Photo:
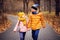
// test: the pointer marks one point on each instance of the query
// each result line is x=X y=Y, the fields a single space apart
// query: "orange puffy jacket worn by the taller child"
x=36 y=21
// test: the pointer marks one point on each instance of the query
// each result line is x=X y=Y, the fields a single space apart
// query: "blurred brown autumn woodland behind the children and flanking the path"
x=50 y=8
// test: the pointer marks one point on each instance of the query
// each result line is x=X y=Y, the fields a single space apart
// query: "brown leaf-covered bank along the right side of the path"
x=53 y=20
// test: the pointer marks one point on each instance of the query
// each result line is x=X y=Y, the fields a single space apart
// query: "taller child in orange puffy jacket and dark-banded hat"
x=36 y=21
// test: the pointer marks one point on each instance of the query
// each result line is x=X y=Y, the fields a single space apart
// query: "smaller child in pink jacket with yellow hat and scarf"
x=21 y=25
